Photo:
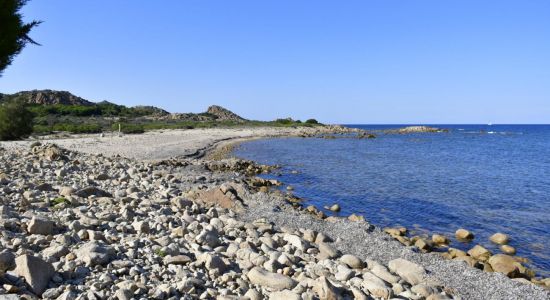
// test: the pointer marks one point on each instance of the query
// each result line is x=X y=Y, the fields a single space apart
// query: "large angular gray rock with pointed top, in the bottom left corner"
x=37 y=273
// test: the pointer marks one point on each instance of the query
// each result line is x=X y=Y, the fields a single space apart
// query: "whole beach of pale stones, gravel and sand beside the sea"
x=163 y=215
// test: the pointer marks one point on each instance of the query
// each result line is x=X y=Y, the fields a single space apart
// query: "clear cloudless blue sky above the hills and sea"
x=338 y=61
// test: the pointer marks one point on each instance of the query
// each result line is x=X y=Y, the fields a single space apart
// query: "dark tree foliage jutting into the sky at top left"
x=13 y=31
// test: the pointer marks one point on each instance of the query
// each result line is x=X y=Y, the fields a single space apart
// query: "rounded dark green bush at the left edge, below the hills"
x=15 y=121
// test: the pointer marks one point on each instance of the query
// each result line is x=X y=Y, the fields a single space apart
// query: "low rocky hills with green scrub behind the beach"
x=61 y=111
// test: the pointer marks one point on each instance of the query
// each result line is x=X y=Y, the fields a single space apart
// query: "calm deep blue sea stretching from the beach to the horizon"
x=497 y=181
